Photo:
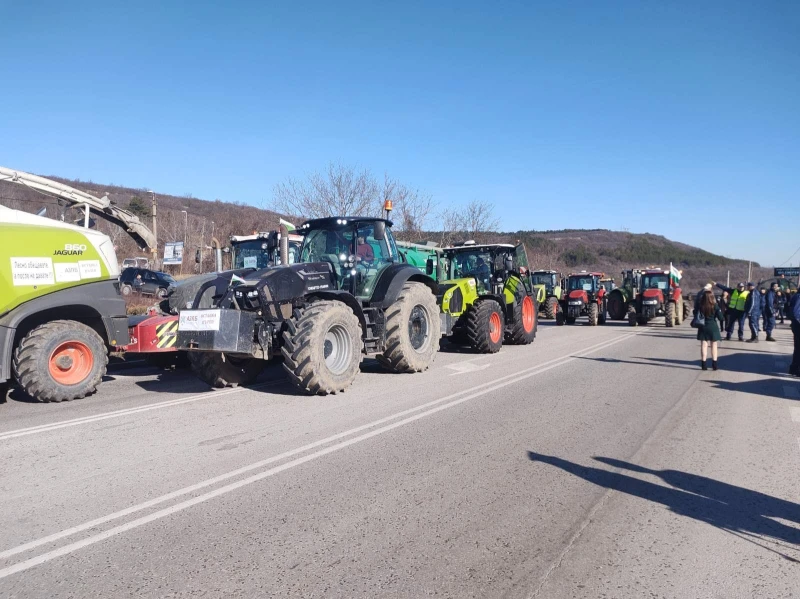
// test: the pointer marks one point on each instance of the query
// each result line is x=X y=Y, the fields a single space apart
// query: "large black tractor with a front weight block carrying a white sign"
x=348 y=296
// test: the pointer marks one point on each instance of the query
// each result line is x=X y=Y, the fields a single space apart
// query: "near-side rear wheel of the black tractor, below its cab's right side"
x=413 y=330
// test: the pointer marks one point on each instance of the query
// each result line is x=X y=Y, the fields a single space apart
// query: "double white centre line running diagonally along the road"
x=429 y=408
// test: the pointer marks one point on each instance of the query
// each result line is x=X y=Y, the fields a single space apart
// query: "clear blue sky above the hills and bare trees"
x=678 y=118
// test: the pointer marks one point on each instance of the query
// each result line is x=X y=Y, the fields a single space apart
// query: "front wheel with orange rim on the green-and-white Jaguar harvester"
x=60 y=360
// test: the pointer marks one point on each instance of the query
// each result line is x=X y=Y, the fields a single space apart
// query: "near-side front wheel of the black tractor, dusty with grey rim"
x=322 y=347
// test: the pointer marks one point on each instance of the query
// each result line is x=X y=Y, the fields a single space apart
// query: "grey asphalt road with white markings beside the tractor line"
x=598 y=462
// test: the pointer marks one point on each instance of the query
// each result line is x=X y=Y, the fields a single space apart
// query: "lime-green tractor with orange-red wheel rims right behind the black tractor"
x=488 y=297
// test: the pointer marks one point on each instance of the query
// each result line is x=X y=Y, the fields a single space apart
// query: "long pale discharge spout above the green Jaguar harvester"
x=102 y=206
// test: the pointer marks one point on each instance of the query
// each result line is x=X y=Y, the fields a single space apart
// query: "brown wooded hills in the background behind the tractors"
x=565 y=250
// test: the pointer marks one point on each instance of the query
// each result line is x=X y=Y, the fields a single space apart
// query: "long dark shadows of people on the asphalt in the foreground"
x=736 y=510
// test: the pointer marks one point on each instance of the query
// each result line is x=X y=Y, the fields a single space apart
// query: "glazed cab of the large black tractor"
x=358 y=250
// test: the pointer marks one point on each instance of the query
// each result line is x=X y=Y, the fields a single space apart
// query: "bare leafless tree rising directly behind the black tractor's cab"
x=340 y=190
